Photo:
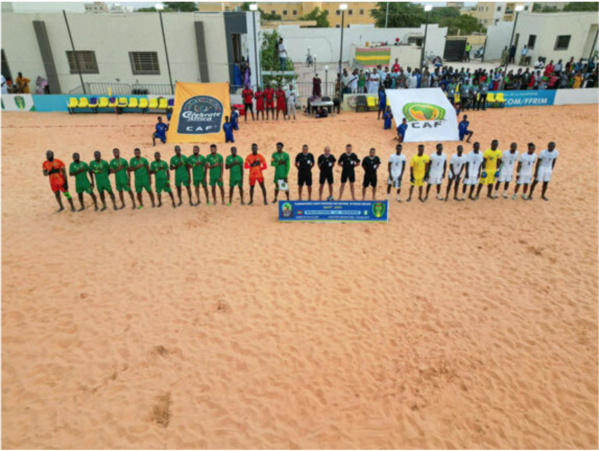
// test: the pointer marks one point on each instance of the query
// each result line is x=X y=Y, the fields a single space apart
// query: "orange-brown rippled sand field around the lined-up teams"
x=454 y=325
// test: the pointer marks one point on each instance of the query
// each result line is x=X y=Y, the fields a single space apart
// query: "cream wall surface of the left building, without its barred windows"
x=112 y=37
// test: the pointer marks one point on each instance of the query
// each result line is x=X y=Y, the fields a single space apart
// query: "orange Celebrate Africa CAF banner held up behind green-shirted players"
x=199 y=113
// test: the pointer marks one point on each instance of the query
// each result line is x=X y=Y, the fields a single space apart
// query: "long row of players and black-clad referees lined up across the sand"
x=491 y=168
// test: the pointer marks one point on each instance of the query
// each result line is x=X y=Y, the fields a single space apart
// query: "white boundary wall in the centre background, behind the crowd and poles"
x=325 y=42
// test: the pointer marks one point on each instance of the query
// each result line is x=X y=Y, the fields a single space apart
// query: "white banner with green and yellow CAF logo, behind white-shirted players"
x=429 y=114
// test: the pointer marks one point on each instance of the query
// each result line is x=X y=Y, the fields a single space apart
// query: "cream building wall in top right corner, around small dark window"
x=582 y=27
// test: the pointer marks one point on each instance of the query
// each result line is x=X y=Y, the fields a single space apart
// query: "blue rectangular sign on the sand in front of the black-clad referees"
x=332 y=211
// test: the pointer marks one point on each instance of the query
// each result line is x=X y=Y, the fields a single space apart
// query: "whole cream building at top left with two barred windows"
x=127 y=48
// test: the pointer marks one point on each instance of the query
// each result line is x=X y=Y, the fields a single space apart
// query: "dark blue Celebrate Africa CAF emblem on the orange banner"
x=200 y=115
